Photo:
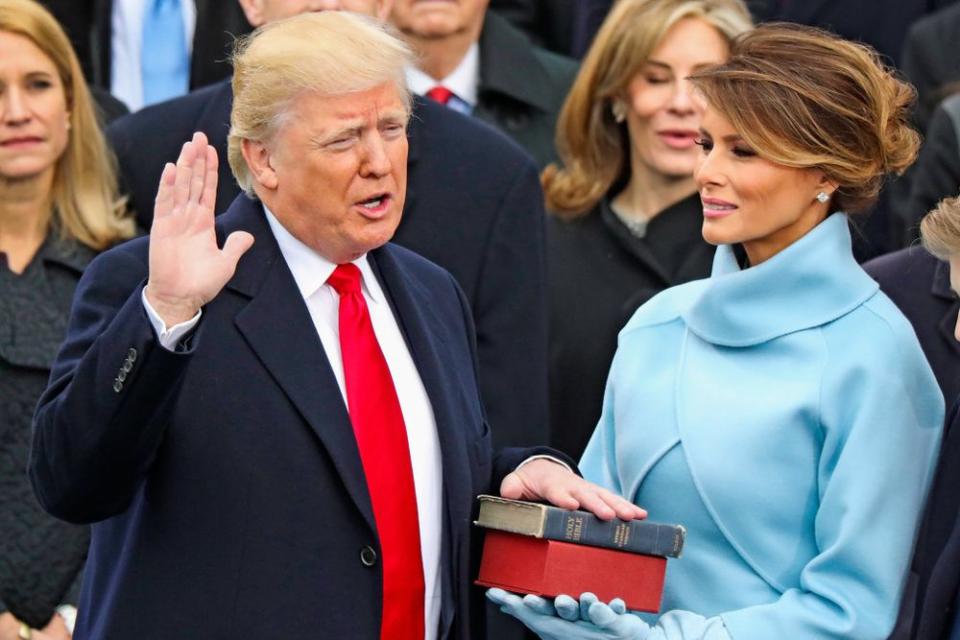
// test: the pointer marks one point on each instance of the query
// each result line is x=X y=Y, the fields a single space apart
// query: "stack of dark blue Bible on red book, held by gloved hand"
x=540 y=549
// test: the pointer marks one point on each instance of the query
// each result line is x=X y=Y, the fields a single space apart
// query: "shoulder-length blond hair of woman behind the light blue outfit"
x=593 y=147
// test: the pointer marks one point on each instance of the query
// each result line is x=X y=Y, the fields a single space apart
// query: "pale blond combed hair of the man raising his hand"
x=329 y=53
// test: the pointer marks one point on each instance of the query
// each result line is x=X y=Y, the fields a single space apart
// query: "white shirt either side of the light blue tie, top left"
x=126 y=34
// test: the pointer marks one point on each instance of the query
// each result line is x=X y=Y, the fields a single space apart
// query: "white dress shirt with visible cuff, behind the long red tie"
x=310 y=272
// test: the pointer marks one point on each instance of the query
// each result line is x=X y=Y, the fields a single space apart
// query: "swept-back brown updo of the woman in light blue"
x=803 y=97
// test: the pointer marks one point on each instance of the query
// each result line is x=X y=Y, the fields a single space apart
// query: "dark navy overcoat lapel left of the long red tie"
x=278 y=328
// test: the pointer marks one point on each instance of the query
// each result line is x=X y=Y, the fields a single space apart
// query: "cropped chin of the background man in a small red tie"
x=435 y=19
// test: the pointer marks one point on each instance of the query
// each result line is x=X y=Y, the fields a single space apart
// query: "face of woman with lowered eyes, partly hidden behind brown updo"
x=662 y=116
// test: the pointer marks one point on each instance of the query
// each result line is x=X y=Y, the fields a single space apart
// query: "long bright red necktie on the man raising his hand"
x=382 y=439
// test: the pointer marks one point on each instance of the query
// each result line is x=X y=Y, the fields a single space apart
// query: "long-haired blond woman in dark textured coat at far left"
x=58 y=208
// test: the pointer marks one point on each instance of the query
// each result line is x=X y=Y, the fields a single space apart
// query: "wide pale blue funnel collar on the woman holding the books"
x=812 y=282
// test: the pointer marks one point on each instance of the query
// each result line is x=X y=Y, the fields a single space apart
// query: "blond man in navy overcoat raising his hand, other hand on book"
x=282 y=437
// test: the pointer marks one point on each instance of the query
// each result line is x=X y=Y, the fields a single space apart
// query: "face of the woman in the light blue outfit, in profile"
x=750 y=200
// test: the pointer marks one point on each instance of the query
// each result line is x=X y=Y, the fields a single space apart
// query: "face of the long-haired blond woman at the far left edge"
x=34 y=125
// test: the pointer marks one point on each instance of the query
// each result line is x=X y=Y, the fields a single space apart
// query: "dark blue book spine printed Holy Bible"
x=637 y=536
